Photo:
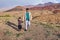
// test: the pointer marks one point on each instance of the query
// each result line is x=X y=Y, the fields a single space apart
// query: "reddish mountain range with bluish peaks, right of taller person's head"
x=46 y=6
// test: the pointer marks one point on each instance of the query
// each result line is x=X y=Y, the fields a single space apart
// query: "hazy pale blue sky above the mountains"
x=12 y=3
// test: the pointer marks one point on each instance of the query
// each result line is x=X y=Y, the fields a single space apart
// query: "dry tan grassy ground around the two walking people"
x=44 y=26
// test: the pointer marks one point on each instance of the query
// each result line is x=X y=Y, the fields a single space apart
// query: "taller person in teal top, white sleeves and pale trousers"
x=27 y=18
